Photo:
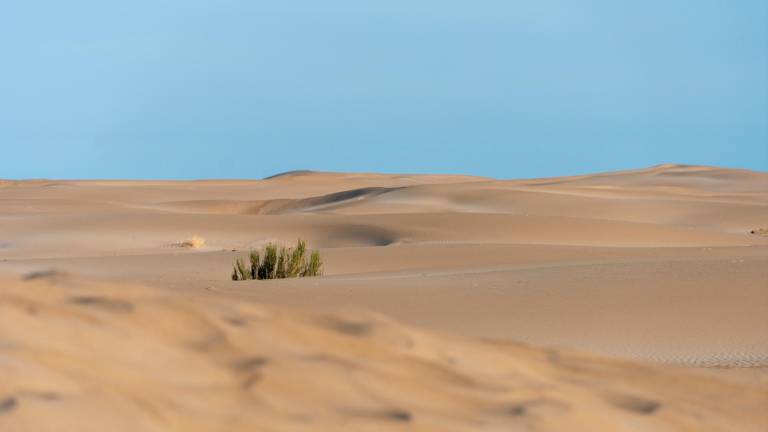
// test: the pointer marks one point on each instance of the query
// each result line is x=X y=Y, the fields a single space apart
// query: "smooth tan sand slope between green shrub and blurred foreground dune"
x=684 y=311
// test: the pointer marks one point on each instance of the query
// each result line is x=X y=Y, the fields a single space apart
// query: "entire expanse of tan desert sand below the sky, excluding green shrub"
x=633 y=300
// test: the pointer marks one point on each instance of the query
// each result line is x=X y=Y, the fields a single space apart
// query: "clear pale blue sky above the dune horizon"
x=504 y=88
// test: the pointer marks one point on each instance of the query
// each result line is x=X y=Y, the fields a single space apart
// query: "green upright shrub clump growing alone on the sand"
x=279 y=262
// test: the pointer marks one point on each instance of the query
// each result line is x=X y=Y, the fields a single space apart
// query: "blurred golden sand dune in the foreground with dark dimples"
x=88 y=356
